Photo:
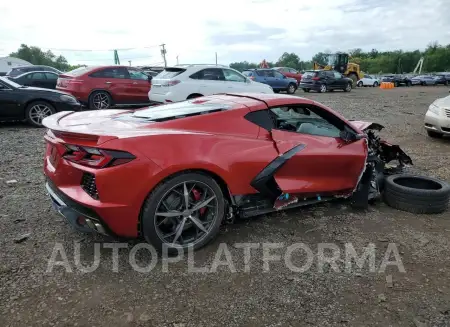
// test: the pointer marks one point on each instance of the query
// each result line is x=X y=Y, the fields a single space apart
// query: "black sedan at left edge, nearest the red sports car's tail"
x=32 y=104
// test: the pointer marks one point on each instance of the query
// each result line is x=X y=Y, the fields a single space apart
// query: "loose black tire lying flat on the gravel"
x=416 y=194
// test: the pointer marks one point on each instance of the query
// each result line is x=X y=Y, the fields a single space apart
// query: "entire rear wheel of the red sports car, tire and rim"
x=158 y=211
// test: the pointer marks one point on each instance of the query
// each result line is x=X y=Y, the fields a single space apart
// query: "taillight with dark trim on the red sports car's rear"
x=96 y=158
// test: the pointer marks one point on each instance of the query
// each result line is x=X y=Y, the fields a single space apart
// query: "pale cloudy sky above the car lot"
x=86 y=31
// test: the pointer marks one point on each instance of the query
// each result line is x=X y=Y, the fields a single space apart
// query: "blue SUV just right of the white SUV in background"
x=275 y=79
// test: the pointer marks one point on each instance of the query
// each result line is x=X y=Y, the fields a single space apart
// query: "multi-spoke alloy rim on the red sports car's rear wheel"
x=186 y=214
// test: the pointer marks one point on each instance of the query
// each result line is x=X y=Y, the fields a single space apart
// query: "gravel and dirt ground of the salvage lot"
x=280 y=297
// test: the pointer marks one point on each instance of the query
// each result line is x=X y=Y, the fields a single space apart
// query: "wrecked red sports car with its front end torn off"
x=174 y=173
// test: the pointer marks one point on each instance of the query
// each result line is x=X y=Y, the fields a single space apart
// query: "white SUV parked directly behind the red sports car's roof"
x=183 y=82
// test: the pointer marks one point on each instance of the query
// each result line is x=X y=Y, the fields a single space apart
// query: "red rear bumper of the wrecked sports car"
x=117 y=199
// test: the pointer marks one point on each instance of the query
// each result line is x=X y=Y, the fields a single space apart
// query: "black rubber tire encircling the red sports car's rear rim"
x=150 y=206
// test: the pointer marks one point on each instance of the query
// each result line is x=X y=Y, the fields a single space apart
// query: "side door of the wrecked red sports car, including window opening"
x=322 y=163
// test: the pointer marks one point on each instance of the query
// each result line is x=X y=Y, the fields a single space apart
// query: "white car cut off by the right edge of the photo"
x=437 y=118
